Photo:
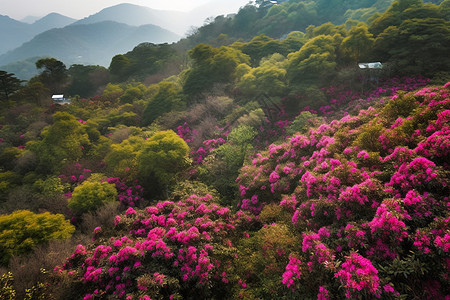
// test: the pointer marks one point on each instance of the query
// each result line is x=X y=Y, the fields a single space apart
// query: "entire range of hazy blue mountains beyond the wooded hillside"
x=98 y=37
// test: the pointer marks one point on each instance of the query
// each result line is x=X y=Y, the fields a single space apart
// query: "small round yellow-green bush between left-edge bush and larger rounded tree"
x=91 y=195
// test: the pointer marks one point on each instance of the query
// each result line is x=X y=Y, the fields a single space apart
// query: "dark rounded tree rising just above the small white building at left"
x=54 y=74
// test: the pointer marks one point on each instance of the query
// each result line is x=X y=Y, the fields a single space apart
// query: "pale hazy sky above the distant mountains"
x=77 y=9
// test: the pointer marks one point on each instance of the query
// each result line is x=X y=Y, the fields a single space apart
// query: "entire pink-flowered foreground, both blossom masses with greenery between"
x=367 y=200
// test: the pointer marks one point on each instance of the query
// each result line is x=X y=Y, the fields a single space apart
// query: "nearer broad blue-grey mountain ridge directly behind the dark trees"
x=89 y=43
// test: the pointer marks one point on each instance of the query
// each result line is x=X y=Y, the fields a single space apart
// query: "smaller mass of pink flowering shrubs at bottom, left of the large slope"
x=163 y=250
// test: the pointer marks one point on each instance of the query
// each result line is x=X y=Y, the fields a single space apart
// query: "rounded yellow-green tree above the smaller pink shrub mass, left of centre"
x=163 y=157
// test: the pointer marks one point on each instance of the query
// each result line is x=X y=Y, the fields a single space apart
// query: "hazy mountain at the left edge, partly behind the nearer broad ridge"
x=14 y=33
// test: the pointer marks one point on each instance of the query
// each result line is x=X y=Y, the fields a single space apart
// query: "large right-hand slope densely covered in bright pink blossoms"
x=369 y=196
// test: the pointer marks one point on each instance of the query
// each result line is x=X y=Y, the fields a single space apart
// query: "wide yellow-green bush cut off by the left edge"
x=22 y=230
